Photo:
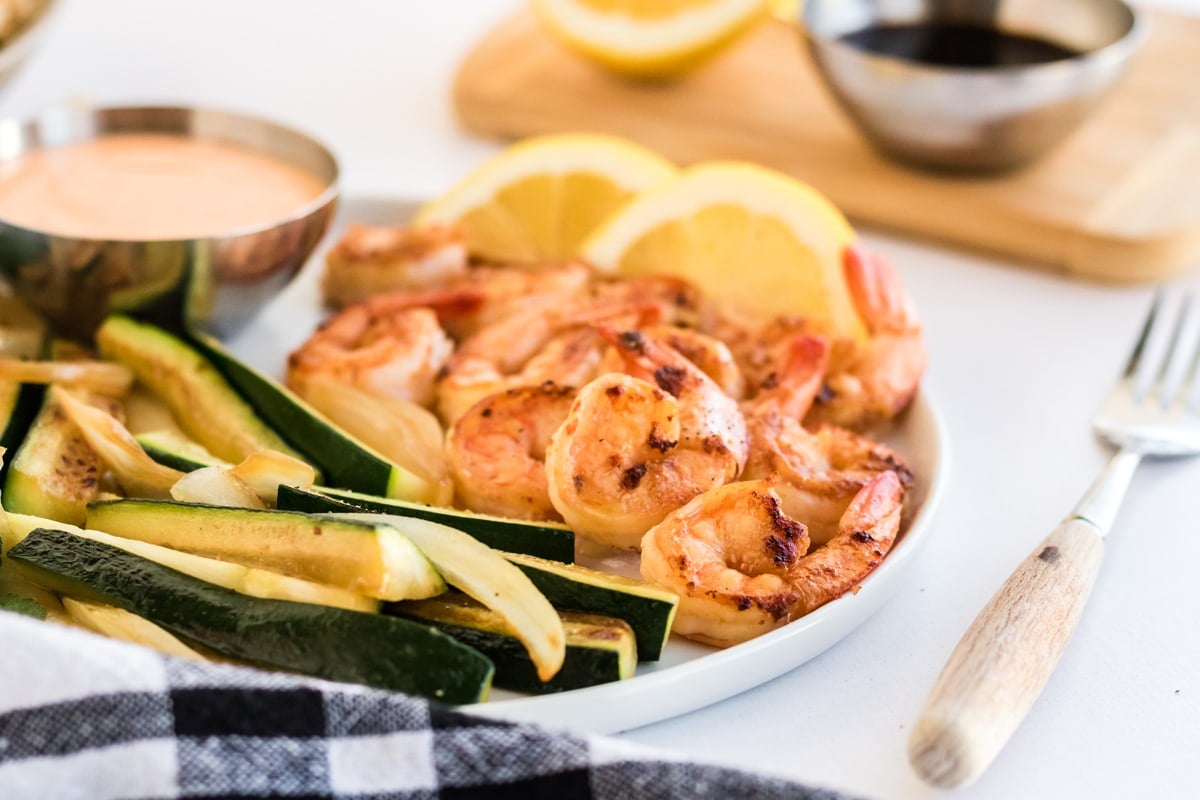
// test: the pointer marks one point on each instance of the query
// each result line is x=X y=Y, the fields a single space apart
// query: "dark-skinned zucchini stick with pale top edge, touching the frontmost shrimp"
x=649 y=610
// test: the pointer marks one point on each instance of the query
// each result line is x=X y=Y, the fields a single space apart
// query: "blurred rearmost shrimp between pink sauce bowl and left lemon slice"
x=371 y=261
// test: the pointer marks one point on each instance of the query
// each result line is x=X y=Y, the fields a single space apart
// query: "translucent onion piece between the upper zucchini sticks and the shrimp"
x=405 y=434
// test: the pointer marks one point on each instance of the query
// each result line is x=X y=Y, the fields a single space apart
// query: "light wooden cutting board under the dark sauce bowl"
x=1120 y=201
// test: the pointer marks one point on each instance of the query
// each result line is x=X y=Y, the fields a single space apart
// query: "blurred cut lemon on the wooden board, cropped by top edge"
x=649 y=38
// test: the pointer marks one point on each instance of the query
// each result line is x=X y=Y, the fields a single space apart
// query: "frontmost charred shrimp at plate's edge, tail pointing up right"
x=741 y=566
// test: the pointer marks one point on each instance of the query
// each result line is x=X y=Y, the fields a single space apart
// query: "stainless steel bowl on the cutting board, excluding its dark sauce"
x=963 y=118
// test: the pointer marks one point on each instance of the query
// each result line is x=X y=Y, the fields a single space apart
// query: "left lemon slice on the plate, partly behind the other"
x=539 y=200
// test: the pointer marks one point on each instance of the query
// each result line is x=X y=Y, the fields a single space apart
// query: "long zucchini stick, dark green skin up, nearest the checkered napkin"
x=332 y=643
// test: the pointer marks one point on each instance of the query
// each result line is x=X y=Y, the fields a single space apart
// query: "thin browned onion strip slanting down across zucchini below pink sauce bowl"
x=137 y=473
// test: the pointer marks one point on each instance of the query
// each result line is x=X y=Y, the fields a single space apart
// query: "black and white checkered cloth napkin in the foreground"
x=82 y=717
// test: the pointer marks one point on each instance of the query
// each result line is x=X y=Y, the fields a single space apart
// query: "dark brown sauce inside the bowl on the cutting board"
x=957 y=46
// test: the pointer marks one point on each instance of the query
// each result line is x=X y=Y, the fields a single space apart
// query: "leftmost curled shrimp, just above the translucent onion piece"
x=394 y=354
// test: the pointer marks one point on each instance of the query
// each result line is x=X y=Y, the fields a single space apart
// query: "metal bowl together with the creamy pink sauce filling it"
x=184 y=216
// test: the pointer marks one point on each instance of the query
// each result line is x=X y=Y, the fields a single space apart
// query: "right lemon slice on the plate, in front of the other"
x=757 y=239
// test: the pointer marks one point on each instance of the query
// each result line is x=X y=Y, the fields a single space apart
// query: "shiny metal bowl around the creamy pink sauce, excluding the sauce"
x=215 y=282
